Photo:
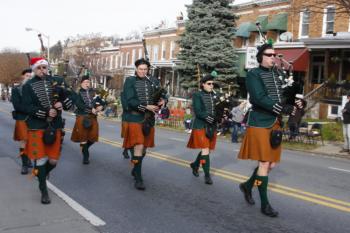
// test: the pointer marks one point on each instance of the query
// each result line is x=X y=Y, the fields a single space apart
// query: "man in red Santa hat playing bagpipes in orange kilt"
x=45 y=98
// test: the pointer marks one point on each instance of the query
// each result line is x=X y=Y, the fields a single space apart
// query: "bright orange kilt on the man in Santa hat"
x=37 y=149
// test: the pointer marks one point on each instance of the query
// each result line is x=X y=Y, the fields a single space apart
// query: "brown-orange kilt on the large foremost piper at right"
x=256 y=145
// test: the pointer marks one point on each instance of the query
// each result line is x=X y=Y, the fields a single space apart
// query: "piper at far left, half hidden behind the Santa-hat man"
x=20 y=132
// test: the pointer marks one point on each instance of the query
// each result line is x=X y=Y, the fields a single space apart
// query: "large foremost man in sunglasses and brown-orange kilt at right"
x=263 y=136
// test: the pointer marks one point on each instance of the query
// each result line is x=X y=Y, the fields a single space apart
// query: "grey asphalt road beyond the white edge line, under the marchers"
x=312 y=193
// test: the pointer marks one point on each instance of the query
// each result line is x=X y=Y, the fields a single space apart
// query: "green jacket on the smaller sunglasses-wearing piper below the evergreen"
x=200 y=111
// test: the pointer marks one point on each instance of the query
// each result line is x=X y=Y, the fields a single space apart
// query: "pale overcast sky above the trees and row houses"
x=63 y=18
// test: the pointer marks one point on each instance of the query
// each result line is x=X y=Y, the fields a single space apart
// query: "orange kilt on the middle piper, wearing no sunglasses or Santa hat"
x=134 y=136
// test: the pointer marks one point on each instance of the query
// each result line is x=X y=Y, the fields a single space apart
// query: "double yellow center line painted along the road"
x=287 y=191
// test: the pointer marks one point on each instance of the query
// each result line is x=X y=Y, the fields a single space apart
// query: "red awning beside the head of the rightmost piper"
x=299 y=57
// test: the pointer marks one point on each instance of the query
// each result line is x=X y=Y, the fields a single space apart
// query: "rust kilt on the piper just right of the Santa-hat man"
x=80 y=134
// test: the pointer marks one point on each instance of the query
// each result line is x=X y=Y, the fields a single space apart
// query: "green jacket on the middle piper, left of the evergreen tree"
x=135 y=108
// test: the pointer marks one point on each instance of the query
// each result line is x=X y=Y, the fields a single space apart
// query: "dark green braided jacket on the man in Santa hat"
x=39 y=95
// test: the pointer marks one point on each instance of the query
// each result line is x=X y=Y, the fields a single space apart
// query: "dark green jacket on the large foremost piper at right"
x=261 y=114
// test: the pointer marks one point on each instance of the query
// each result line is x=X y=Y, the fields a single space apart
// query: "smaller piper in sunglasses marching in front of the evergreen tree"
x=203 y=135
